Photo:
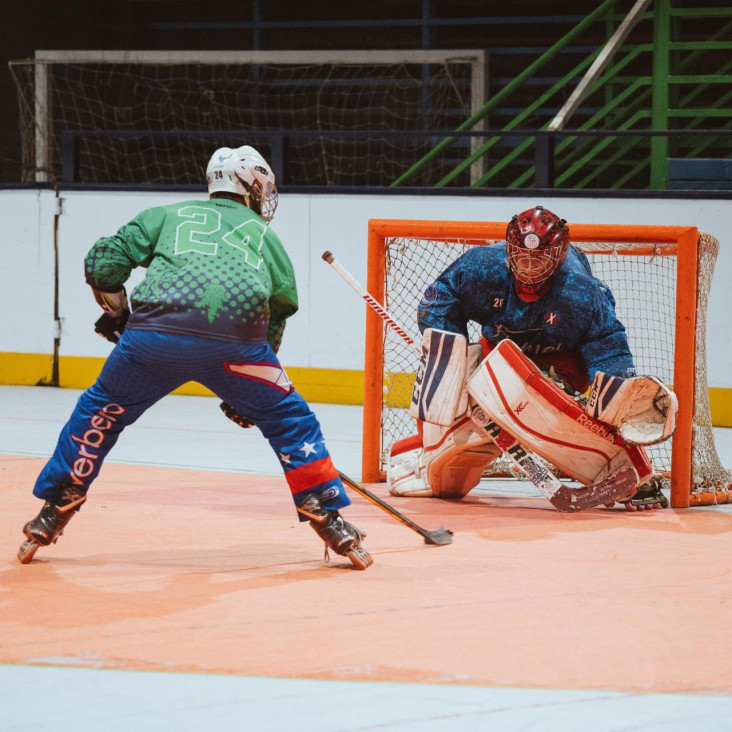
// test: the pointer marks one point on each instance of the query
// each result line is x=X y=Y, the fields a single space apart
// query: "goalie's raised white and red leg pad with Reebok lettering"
x=513 y=391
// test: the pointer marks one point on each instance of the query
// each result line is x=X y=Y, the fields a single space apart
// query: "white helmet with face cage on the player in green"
x=243 y=172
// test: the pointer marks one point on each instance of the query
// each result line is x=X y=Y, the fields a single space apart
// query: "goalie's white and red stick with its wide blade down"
x=568 y=500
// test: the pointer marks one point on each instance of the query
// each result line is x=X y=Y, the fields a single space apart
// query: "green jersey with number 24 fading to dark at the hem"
x=214 y=269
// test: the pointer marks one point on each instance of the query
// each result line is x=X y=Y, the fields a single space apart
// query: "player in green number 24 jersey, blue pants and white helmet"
x=212 y=308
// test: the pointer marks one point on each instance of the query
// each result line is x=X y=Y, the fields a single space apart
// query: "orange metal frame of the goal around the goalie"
x=685 y=241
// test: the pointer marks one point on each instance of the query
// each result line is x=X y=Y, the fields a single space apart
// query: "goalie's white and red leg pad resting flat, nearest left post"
x=446 y=462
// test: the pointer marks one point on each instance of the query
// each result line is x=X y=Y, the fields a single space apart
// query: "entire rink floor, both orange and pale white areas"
x=198 y=595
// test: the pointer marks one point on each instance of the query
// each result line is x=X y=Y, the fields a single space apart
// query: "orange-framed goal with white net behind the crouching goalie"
x=660 y=276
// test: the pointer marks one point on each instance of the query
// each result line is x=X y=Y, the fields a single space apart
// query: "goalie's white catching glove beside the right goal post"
x=641 y=408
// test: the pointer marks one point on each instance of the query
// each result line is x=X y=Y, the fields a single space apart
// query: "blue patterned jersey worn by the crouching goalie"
x=575 y=317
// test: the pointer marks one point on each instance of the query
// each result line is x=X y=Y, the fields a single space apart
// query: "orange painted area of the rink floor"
x=211 y=572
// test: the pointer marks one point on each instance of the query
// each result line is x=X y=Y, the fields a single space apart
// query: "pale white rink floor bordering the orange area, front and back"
x=71 y=699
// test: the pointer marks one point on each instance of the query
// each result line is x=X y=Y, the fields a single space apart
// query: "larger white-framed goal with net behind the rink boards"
x=319 y=117
